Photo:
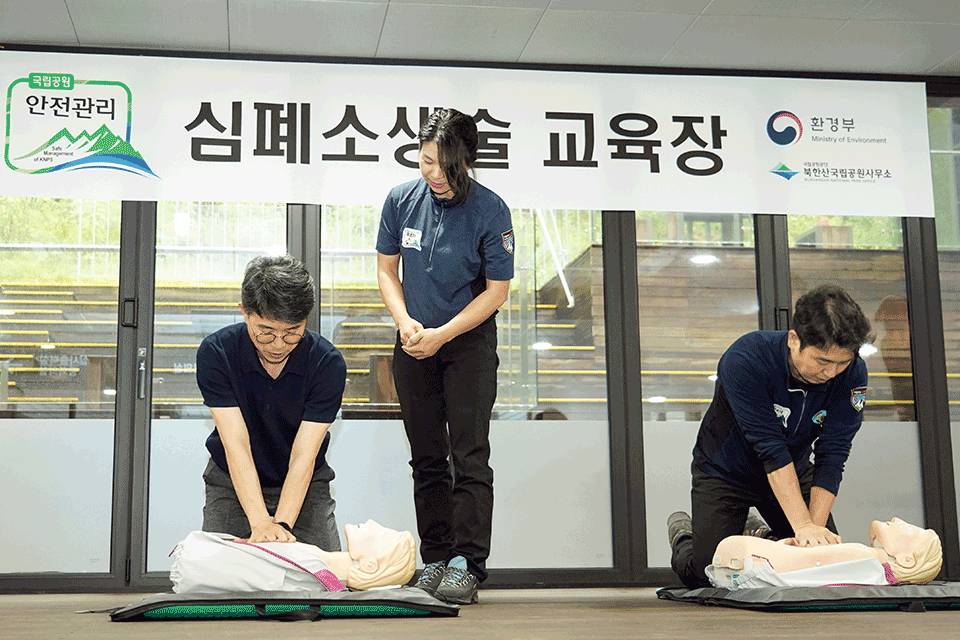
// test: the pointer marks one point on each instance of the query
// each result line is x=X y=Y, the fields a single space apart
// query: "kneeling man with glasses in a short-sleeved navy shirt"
x=273 y=388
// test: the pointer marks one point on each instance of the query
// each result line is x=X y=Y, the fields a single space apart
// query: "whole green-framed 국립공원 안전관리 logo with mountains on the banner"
x=56 y=122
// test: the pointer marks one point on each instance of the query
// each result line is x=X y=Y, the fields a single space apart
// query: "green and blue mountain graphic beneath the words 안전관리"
x=101 y=149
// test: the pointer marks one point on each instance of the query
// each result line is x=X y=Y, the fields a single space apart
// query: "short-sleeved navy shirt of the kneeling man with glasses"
x=310 y=387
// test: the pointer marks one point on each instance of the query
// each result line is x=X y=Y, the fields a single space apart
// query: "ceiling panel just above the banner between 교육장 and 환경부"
x=749 y=42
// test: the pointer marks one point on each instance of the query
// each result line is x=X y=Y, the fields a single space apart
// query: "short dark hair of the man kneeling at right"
x=827 y=316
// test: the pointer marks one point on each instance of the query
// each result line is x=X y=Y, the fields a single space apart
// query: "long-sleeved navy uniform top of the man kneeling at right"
x=761 y=418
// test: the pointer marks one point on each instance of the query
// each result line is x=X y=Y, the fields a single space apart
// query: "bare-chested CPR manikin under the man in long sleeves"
x=906 y=554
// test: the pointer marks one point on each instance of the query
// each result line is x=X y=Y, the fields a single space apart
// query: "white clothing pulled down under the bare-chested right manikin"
x=867 y=571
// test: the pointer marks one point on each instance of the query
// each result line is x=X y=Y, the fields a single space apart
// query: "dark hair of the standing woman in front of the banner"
x=456 y=136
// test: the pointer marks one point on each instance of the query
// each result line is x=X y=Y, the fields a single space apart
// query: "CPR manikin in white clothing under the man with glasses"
x=218 y=563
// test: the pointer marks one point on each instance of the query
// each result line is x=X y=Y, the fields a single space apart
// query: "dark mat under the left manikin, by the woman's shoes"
x=400 y=602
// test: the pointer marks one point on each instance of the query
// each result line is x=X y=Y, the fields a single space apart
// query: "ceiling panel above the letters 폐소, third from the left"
x=306 y=28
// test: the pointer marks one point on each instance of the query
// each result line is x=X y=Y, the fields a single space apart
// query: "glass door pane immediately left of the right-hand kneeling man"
x=697 y=292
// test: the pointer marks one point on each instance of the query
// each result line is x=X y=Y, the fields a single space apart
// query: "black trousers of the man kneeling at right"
x=719 y=509
